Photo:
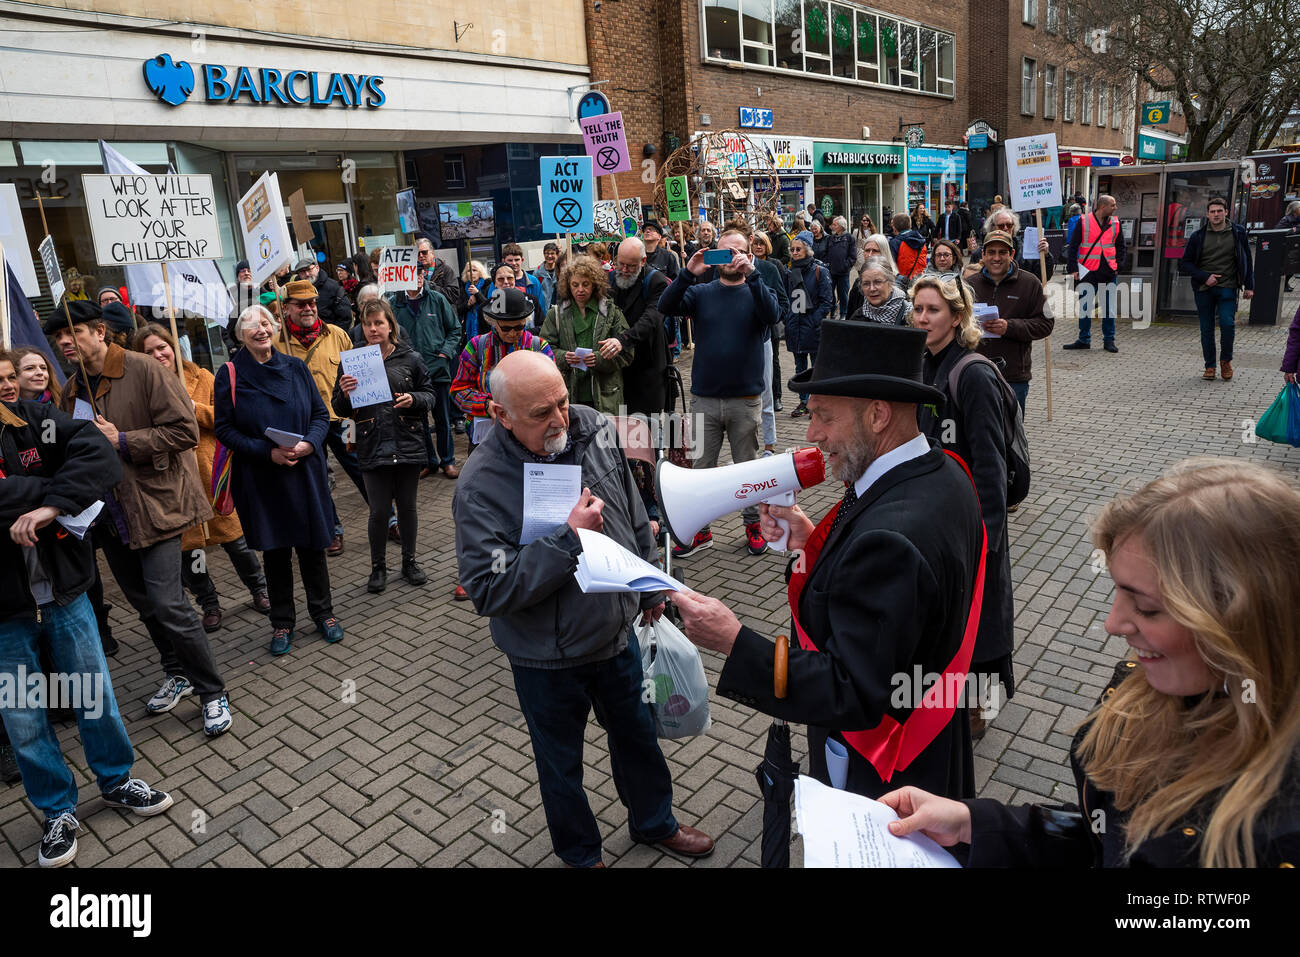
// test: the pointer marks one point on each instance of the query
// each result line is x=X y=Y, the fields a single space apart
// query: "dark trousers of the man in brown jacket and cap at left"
x=150 y=578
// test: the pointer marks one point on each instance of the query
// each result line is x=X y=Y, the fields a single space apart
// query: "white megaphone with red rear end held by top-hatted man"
x=694 y=497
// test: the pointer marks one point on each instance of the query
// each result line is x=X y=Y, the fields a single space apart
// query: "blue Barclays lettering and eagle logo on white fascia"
x=175 y=81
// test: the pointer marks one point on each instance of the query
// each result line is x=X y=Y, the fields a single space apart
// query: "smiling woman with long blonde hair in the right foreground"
x=1193 y=756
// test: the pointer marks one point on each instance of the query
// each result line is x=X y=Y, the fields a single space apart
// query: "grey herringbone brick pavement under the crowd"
x=404 y=746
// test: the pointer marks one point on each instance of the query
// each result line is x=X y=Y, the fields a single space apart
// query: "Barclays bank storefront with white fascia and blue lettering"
x=341 y=125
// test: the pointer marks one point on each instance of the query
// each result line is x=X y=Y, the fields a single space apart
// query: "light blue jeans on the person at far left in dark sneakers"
x=72 y=638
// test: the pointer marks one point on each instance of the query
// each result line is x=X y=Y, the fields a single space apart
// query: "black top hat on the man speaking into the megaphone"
x=869 y=361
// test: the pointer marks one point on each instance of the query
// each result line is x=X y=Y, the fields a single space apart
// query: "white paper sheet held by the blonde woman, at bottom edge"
x=846 y=830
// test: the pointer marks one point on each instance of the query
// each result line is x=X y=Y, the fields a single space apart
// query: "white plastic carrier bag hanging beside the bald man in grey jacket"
x=681 y=690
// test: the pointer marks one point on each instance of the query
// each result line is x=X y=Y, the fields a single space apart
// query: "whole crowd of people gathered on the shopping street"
x=912 y=356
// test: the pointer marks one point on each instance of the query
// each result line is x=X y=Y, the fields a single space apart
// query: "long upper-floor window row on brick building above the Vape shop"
x=831 y=38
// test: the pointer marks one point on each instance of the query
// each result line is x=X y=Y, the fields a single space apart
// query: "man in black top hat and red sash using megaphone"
x=881 y=591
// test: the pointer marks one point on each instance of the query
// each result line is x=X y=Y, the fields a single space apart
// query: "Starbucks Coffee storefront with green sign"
x=855 y=179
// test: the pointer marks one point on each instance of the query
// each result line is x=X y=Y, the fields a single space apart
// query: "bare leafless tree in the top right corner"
x=1233 y=66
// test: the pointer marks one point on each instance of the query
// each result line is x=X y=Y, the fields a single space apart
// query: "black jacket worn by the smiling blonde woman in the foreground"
x=1093 y=833
